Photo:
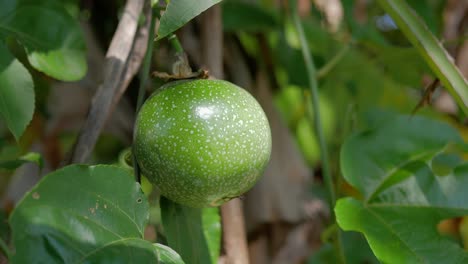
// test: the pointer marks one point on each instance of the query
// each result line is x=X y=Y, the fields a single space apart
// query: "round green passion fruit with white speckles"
x=202 y=142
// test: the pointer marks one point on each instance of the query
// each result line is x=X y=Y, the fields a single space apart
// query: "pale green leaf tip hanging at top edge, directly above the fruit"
x=179 y=12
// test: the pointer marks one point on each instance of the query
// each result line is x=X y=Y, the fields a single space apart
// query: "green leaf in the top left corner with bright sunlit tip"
x=52 y=38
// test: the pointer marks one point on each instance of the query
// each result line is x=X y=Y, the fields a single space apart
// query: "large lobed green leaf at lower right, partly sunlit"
x=393 y=166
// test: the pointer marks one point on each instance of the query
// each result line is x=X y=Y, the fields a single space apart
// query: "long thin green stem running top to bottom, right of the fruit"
x=311 y=72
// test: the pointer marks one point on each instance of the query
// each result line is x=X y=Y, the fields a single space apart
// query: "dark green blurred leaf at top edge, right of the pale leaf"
x=247 y=17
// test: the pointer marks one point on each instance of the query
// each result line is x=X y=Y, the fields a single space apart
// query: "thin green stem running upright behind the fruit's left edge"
x=144 y=73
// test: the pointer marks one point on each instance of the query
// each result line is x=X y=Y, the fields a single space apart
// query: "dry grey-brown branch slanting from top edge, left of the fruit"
x=117 y=58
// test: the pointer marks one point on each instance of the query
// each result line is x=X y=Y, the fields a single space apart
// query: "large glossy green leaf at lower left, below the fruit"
x=80 y=214
